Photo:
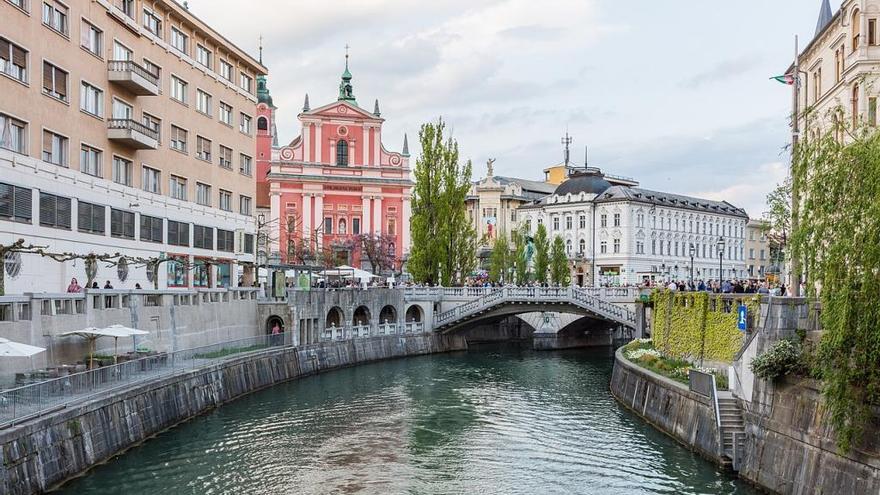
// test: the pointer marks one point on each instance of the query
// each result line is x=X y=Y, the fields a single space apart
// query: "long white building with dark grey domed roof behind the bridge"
x=619 y=234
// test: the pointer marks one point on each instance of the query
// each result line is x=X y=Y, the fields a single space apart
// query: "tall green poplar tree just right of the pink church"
x=442 y=244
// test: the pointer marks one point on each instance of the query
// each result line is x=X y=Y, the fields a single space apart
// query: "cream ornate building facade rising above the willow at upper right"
x=839 y=67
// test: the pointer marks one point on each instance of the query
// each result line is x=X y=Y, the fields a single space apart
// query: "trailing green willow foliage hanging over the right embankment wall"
x=837 y=239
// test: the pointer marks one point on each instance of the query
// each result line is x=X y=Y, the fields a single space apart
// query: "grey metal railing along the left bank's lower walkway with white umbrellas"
x=30 y=401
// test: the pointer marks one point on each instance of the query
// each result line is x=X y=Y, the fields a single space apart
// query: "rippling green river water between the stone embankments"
x=488 y=421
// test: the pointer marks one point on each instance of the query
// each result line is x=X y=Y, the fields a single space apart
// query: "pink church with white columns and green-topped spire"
x=332 y=184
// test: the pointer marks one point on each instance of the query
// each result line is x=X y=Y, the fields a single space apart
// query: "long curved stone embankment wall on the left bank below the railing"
x=45 y=452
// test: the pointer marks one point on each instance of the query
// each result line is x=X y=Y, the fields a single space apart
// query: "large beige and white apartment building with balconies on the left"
x=126 y=126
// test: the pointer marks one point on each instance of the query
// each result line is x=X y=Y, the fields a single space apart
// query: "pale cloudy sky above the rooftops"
x=674 y=93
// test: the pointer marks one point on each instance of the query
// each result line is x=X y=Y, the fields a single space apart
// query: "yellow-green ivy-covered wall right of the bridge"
x=686 y=325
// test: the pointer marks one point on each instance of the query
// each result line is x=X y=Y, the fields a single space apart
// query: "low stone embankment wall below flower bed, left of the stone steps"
x=668 y=405
